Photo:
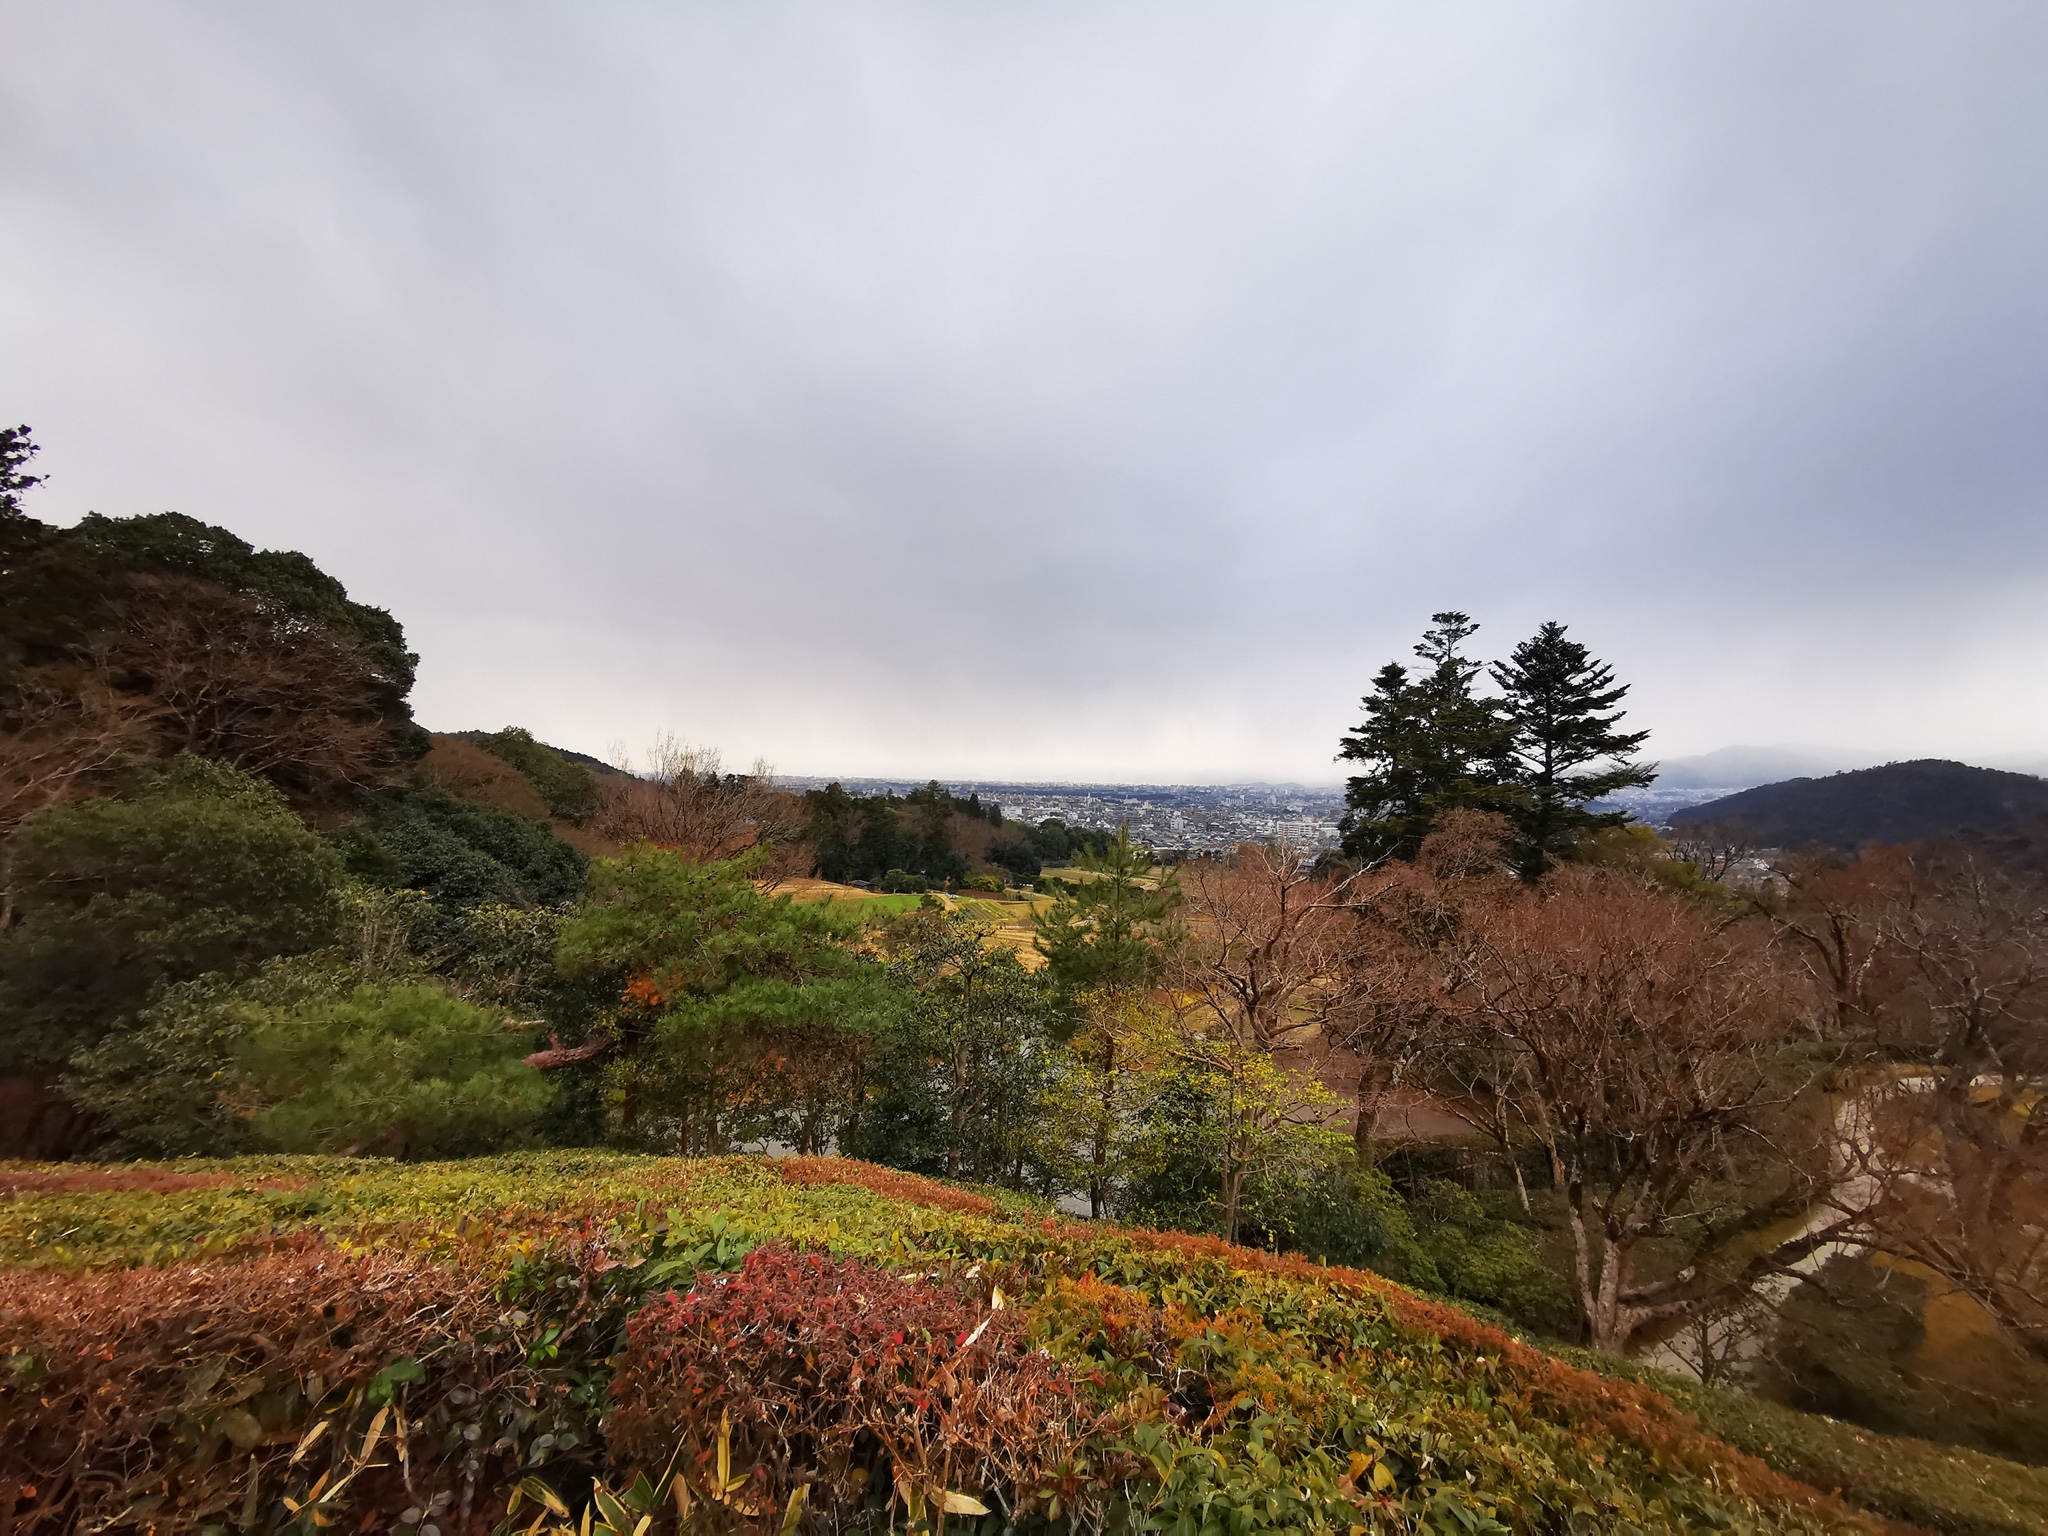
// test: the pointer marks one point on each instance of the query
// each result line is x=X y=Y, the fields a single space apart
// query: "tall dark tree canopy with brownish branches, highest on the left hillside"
x=173 y=636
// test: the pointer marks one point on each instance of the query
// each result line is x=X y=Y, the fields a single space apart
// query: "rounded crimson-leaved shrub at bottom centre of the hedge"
x=843 y=1377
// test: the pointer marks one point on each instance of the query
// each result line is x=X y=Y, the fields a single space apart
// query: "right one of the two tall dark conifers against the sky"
x=1566 y=749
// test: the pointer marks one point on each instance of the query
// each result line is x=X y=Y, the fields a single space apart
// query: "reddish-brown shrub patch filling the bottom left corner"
x=177 y=1398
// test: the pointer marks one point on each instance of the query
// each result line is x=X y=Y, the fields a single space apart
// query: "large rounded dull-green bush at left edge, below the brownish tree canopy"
x=202 y=869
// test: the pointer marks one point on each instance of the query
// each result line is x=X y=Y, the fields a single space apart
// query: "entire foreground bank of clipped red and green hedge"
x=742 y=1345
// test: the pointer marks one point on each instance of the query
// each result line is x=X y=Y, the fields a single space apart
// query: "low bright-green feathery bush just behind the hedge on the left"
x=400 y=1070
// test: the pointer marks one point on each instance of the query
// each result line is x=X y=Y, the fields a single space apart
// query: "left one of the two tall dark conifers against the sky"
x=1428 y=744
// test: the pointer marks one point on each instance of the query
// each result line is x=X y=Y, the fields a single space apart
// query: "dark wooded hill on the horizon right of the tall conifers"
x=1902 y=802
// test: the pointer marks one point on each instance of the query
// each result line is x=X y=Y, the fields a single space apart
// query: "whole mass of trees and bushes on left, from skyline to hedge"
x=222 y=873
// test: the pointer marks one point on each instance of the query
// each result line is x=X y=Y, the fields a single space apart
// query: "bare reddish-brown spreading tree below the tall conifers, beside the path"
x=1646 y=1052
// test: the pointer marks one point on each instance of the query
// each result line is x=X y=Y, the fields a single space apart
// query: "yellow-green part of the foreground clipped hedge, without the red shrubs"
x=1320 y=1375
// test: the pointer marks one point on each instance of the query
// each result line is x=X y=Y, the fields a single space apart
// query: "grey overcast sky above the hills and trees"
x=1070 y=390
